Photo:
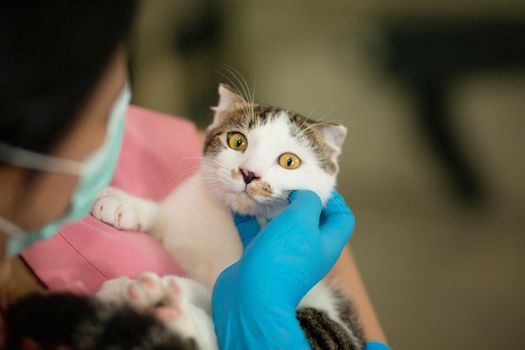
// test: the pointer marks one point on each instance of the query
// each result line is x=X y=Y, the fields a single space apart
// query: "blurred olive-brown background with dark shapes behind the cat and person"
x=433 y=95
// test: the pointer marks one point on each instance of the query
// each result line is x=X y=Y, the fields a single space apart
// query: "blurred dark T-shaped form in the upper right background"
x=430 y=56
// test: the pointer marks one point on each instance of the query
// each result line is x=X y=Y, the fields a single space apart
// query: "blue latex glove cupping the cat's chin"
x=254 y=300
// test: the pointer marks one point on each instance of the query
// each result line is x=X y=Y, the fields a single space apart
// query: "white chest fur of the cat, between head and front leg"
x=198 y=231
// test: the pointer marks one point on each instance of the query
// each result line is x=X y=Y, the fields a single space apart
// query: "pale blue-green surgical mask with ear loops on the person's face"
x=94 y=174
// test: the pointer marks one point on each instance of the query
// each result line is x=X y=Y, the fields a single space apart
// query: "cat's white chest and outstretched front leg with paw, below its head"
x=190 y=223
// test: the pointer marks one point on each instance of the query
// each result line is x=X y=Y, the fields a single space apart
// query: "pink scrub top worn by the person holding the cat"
x=158 y=152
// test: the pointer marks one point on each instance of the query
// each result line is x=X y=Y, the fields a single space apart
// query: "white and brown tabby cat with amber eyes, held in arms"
x=254 y=156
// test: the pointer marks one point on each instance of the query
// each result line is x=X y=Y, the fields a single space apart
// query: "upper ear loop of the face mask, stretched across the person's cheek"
x=36 y=161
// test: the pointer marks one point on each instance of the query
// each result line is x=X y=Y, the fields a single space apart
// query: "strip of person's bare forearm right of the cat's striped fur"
x=348 y=278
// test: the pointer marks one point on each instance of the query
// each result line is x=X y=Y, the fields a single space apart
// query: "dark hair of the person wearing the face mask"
x=52 y=53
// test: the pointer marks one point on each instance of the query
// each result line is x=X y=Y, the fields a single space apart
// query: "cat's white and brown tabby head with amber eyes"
x=255 y=155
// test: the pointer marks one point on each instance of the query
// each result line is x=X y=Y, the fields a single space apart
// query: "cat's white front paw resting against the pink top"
x=115 y=207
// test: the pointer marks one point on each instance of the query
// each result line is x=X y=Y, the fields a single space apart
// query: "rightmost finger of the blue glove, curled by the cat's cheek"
x=339 y=222
